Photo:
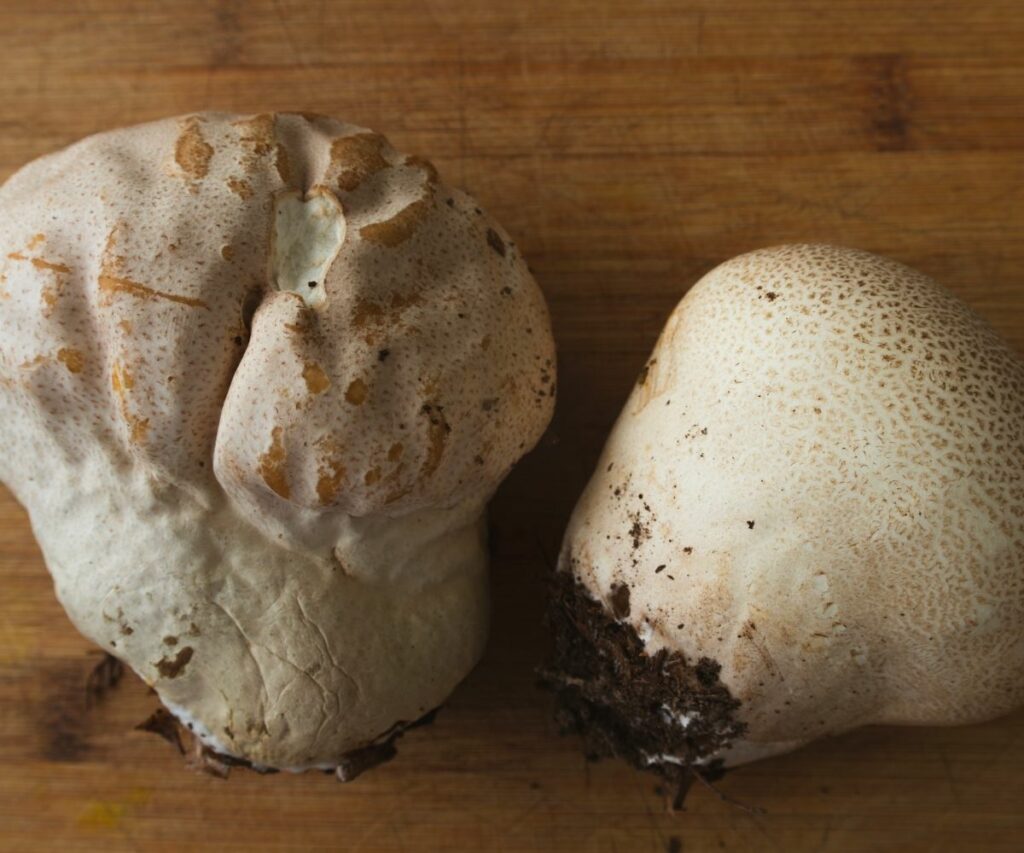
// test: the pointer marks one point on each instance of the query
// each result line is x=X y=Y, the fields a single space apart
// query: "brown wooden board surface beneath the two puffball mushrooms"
x=629 y=148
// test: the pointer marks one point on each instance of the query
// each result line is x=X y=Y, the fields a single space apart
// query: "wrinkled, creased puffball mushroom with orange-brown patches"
x=260 y=377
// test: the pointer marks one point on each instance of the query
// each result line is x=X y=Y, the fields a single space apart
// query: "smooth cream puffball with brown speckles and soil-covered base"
x=809 y=518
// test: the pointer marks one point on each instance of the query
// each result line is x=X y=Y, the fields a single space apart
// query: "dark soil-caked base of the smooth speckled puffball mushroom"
x=658 y=712
